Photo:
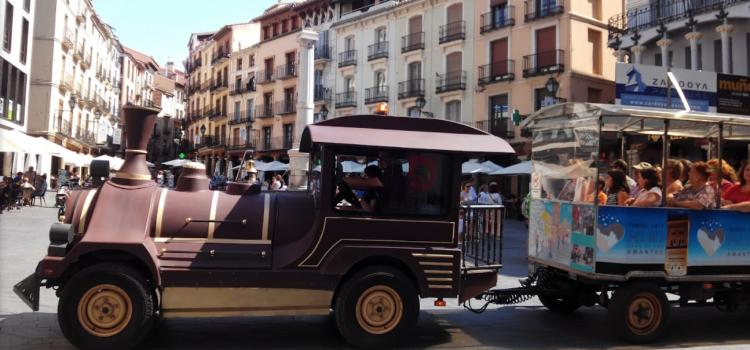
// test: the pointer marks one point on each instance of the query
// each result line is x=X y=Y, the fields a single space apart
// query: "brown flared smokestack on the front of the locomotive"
x=139 y=123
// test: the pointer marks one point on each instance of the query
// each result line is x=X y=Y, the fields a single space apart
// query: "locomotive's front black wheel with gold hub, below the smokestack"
x=106 y=306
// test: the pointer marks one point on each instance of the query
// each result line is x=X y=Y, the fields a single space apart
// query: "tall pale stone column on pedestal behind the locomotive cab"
x=298 y=162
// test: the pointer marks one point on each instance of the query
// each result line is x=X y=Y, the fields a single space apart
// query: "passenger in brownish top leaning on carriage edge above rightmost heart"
x=698 y=194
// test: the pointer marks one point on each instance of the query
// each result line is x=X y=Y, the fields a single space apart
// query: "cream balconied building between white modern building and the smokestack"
x=73 y=78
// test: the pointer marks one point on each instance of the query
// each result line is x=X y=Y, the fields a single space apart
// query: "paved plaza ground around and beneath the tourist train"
x=23 y=240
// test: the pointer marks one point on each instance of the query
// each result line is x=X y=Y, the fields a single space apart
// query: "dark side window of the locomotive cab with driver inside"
x=393 y=183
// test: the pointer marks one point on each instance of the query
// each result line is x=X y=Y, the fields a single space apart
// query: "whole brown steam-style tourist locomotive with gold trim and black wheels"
x=129 y=251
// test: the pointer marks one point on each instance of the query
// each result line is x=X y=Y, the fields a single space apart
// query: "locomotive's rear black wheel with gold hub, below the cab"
x=377 y=308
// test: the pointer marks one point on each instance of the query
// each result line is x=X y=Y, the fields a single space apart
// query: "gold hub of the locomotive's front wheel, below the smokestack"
x=105 y=310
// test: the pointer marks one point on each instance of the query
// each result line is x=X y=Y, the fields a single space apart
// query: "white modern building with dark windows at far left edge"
x=15 y=62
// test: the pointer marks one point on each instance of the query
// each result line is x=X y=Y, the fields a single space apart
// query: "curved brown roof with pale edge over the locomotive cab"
x=381 y=131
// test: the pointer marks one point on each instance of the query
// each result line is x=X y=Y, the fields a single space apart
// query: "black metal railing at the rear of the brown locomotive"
x=482 y=237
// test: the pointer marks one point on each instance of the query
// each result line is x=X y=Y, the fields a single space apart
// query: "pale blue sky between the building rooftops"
x=162 y=28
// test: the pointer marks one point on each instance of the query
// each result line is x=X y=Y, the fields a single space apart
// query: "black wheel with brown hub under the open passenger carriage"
x=639 y=312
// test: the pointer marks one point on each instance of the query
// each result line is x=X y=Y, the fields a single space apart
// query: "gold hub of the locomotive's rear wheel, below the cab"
x=379 y=310
